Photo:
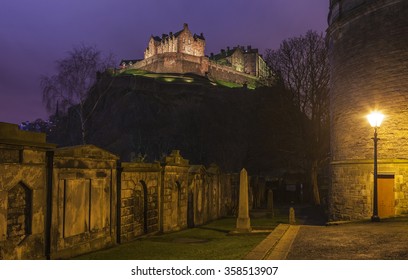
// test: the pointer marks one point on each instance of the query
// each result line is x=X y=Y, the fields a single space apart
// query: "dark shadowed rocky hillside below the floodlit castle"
x=234 y=128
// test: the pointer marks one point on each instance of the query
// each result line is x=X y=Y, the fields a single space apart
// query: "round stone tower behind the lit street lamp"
x=368 y=52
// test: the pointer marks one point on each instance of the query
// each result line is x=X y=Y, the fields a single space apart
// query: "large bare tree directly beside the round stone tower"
x=301 y=65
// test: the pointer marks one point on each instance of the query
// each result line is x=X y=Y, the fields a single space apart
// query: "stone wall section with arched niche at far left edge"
x=23 y=172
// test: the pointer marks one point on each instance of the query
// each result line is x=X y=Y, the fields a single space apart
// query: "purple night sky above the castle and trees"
x=33 y=34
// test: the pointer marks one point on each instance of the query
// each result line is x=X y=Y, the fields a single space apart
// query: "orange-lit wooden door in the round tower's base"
x=385 y=198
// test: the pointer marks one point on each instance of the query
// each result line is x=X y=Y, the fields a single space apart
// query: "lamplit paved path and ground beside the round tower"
x=363 y=240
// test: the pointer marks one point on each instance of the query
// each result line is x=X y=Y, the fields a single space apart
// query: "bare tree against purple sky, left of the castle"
x=76 y=78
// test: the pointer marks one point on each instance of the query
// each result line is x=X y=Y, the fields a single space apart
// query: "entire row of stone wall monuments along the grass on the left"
x=60 y=203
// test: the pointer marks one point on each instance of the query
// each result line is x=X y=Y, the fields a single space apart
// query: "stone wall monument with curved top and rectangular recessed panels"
x=84 y=197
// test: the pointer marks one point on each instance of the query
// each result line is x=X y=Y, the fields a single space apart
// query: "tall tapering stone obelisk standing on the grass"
x=243 y=220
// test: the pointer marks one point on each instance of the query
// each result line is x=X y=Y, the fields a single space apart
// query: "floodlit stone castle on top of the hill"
x=184 y=52
